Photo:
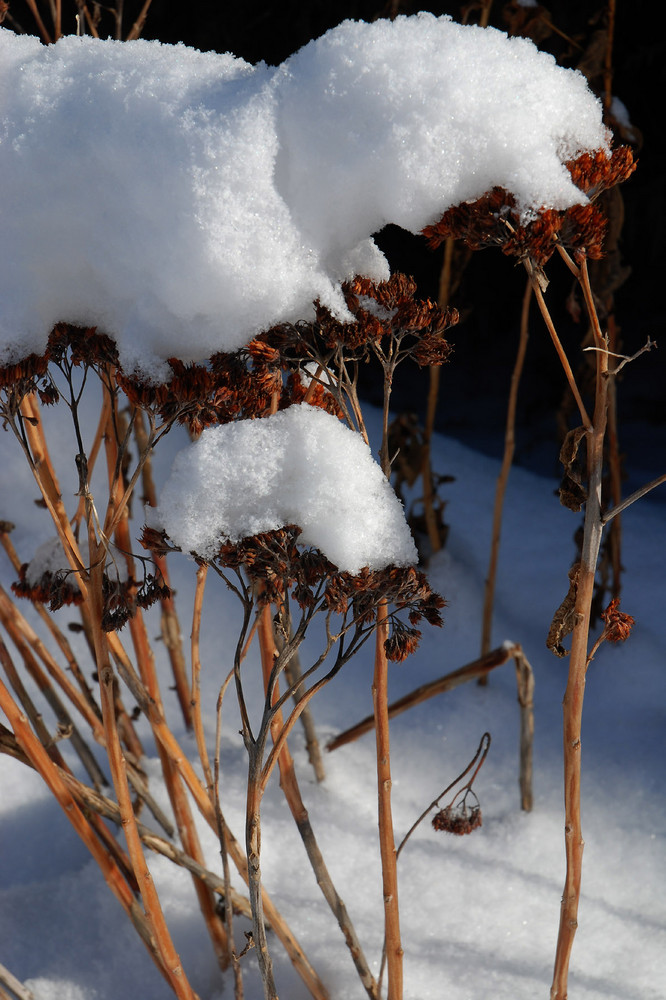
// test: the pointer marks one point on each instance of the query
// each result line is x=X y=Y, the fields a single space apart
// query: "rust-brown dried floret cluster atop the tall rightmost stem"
x=493 y=220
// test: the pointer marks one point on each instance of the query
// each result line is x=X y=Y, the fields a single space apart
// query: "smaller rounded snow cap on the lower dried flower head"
x=300 y=466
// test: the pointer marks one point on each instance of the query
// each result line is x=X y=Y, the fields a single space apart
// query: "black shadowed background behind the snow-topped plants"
x=475 y=383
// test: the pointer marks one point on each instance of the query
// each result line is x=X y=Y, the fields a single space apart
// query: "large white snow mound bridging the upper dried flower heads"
x=182 y=202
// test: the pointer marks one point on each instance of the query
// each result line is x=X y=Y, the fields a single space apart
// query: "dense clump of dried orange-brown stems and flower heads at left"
x=282 y=586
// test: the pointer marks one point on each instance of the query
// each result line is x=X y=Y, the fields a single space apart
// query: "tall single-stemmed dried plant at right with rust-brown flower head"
x=577 y=235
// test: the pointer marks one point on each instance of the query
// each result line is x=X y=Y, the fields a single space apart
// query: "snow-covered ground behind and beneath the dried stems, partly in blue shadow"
x=479 y=913
